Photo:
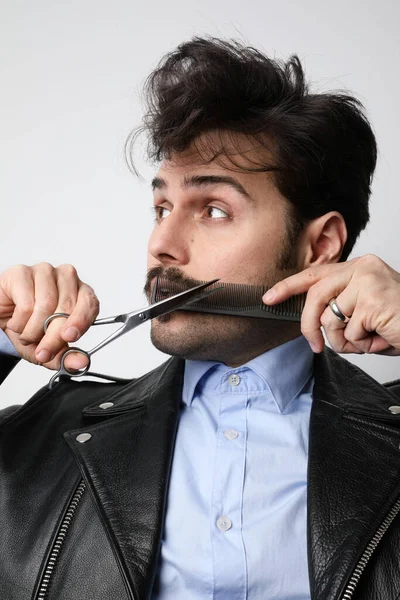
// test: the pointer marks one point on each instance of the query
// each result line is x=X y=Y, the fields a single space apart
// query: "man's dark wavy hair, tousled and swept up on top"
x=322 y=146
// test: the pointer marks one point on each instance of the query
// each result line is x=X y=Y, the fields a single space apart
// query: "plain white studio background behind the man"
x=71 y=74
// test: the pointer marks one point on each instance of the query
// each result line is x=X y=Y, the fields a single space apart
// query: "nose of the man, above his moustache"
x=167 y=243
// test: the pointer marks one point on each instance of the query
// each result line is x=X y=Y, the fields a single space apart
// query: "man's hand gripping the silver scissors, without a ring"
x=28 y=295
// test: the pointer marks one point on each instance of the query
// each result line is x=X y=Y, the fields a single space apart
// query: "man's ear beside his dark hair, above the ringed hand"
x=322 y=240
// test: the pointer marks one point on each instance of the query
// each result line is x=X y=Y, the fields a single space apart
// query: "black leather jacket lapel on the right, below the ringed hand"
x=353 y=470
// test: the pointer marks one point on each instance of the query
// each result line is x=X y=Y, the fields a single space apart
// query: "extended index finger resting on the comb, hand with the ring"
x=300 y=282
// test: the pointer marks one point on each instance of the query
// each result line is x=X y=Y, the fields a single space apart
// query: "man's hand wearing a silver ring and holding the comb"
x=365 y=288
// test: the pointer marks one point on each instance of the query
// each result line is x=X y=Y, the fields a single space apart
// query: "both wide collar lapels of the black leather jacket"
x=353 y=469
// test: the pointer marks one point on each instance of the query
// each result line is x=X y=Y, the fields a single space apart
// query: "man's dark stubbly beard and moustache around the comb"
x=224 y=338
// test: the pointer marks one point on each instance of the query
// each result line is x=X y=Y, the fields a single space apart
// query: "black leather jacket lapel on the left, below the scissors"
x=126 y=465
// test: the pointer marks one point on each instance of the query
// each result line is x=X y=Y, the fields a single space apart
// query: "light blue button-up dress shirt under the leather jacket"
x=235 y=526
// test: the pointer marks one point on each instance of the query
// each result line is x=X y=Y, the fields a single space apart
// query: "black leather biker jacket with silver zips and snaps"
x=84 y=520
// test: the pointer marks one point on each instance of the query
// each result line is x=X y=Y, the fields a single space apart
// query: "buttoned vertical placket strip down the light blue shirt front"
x=229 y=561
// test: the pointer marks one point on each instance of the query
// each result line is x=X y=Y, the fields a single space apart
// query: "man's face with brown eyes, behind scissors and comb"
x=212 y=222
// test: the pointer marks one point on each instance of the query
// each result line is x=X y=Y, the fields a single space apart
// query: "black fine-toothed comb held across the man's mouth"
x=234 y=299
